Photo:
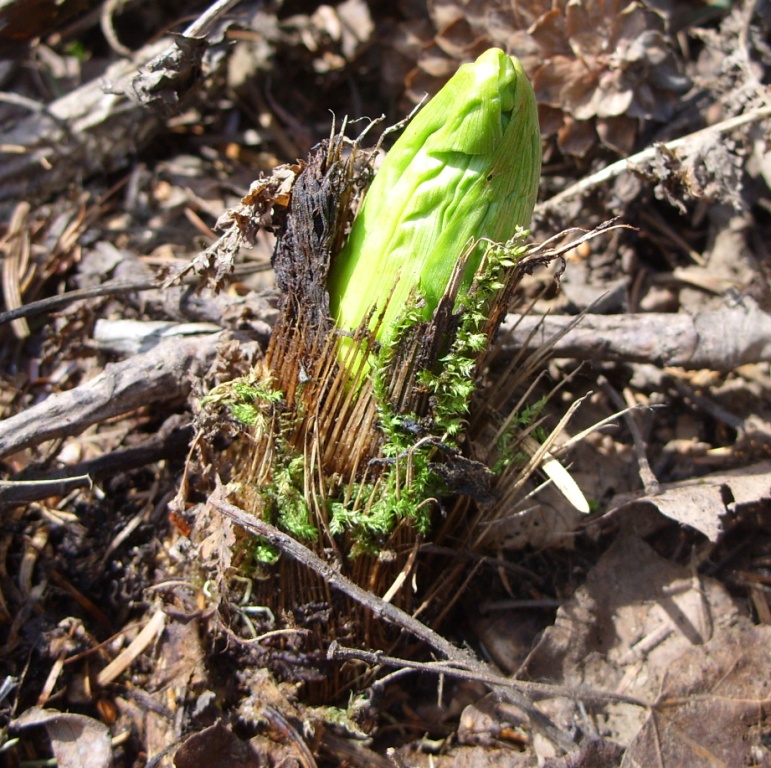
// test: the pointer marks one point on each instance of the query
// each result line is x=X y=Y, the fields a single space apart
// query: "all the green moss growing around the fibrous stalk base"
x=406 y=484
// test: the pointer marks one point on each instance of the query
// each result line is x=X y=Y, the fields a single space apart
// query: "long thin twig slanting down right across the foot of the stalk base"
x=388 y=612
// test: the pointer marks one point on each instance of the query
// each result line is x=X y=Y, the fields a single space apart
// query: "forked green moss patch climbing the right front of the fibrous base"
x=408 y=486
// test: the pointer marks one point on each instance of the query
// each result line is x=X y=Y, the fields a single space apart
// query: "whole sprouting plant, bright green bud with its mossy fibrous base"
x=355 y=415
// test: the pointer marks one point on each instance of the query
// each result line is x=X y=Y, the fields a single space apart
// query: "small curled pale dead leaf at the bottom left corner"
x=76 y=740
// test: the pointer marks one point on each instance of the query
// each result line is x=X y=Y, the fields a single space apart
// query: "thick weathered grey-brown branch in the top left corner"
x=99 y=126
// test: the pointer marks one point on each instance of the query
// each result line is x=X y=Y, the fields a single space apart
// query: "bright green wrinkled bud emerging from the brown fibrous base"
x=465 y=169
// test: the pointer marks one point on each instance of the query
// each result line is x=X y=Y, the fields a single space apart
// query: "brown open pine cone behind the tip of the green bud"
x=599 y=67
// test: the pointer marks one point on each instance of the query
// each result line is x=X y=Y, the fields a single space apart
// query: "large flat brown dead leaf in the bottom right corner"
x=648 y=628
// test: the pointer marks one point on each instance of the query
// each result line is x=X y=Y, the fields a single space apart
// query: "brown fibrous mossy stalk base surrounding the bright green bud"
x=357 y=450
